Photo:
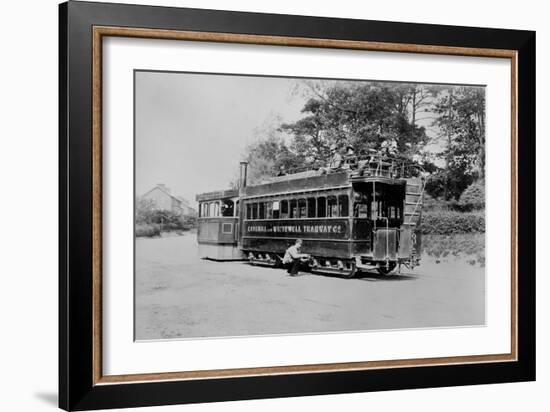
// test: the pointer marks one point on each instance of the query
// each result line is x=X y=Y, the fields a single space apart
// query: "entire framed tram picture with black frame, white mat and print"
x=256 y=206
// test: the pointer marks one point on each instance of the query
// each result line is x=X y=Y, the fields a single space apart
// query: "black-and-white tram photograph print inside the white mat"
x=281 y=205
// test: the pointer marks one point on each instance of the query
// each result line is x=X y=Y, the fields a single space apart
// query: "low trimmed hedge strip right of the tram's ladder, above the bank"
x=452 y=222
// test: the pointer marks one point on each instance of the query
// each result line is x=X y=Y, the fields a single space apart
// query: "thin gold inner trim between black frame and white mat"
x=100 y=31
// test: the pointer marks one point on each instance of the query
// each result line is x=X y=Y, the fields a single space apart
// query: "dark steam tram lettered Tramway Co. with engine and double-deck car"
x=364 y=216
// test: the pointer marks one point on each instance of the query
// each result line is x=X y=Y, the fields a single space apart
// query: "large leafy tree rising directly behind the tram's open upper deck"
x=361 y=114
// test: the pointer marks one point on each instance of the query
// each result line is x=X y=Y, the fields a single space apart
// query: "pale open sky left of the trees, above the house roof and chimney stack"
x=191 y=130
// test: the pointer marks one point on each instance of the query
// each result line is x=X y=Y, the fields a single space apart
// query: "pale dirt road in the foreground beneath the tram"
x=179 y=295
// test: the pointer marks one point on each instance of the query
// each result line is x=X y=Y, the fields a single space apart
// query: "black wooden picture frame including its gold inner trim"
x=82 y=385
